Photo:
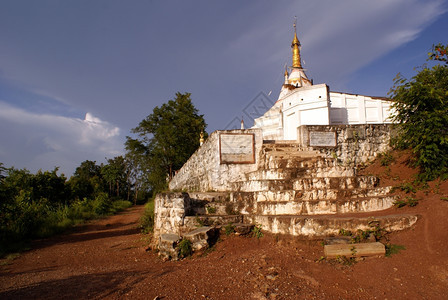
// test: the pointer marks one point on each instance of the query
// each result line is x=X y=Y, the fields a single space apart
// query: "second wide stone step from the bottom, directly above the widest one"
x=318 y=207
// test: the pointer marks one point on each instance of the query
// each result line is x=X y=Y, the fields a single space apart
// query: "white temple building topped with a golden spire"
x=302 y=103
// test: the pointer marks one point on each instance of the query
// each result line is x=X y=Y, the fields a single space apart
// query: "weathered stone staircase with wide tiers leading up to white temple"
x=298 y=192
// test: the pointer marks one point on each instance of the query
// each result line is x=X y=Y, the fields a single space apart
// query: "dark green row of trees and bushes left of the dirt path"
x=44 y=203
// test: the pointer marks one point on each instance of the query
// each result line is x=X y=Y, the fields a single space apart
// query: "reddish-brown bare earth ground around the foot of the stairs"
x=107 y=259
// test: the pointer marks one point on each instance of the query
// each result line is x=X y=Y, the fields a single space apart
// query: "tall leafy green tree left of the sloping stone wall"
x=166 y=139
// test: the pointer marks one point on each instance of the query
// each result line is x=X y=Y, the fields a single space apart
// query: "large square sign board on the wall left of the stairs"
x=237 y=148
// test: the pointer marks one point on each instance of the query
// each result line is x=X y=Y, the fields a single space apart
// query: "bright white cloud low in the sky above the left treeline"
x=44 y=141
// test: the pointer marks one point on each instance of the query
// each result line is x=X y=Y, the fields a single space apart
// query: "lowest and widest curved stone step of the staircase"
x=322 y=226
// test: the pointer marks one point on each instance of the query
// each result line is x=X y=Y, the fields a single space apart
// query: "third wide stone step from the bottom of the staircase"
x=309 y=195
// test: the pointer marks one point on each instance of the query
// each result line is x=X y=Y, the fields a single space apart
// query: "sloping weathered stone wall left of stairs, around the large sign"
x=204 y=172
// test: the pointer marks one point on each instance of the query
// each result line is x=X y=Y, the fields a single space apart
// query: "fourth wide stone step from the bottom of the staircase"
x=309 y=183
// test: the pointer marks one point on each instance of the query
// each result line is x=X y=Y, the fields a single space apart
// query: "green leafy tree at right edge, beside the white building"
x=421 y=115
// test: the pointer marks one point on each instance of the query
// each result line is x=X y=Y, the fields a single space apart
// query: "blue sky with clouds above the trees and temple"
x=76 y=76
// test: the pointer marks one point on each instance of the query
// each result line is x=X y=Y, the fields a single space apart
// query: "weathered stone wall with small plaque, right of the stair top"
x=355 y=144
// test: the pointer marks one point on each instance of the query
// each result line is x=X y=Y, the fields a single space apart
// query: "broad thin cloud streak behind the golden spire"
x=338 y=37
